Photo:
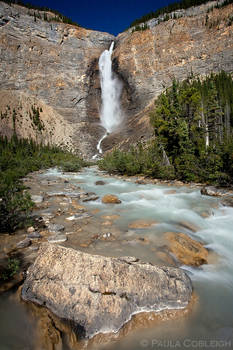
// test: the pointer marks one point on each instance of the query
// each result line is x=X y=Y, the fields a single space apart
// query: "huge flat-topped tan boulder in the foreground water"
x=100 y=294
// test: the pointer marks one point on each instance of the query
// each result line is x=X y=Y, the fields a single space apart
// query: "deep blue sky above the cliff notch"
x=112 y=16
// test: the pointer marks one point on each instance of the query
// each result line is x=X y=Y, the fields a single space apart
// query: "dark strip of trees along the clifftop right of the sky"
x=183 y=4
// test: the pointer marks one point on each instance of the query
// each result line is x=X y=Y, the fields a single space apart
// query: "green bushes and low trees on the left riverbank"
x=18 y=157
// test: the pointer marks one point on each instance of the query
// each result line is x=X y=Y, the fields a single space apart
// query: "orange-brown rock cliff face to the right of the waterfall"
x=148 y=61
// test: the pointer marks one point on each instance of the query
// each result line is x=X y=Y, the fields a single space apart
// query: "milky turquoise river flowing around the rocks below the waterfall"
x=210 y=324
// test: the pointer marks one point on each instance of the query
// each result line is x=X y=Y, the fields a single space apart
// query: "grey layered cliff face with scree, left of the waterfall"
x=49 y=68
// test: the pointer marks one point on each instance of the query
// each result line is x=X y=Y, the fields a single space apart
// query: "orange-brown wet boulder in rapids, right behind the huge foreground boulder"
x=187 y=250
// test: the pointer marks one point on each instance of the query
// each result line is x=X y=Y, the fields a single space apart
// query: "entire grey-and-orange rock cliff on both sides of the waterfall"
x=49 y=79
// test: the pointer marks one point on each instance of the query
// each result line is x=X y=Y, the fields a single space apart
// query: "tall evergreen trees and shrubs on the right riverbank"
x=193 y=124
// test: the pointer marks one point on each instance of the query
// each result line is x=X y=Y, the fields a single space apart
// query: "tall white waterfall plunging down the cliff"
x=111 y=87
